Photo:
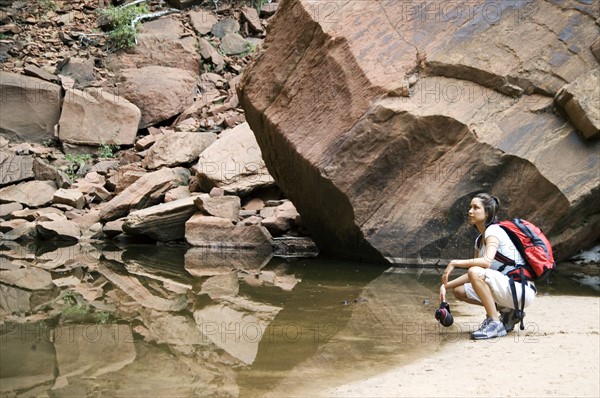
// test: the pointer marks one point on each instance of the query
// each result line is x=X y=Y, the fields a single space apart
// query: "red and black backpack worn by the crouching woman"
x=533 y=246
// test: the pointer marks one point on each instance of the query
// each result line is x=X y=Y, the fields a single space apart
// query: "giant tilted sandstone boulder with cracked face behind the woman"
x=380 y=121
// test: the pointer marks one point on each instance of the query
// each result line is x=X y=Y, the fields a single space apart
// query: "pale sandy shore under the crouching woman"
x=558 y=354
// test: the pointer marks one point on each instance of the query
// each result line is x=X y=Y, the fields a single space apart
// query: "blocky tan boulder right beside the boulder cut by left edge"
x=94 y=117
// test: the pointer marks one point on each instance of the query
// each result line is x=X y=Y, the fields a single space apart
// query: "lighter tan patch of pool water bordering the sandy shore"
x=390 y=326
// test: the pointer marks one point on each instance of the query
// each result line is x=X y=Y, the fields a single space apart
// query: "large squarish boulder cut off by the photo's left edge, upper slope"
x=30 y=107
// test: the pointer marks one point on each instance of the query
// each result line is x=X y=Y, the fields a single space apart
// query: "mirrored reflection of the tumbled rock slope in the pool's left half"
x=209 y=328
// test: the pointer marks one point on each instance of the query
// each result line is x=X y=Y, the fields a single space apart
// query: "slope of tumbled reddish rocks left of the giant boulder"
x=146 y=142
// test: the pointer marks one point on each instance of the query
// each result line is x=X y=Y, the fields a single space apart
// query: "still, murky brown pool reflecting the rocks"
x=171 y=321
